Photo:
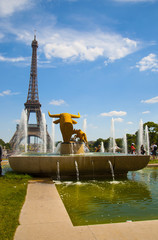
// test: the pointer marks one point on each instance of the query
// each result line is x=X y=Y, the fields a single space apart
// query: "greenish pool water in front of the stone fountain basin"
x=99 y=202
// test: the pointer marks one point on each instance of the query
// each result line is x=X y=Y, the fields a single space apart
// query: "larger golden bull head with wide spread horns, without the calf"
x=66 y=124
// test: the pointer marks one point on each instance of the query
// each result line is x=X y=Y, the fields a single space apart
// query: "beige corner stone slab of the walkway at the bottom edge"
x=53 y=231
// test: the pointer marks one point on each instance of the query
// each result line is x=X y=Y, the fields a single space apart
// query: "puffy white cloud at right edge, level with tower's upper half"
x=149 y=62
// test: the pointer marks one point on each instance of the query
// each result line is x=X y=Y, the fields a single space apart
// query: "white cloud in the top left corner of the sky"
x=9 y=7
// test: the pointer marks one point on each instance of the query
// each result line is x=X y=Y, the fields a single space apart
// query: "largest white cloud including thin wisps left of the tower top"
x=73 y=45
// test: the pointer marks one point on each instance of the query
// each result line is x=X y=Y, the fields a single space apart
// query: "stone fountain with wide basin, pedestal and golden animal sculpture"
x=72 y=159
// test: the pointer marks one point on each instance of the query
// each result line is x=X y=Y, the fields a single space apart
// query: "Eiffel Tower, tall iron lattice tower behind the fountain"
x=32 y=105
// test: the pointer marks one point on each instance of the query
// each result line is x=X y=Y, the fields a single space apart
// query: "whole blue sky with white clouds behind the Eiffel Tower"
x=98 y=58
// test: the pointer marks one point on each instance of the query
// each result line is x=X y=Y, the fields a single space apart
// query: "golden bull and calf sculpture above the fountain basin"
x=66 y=126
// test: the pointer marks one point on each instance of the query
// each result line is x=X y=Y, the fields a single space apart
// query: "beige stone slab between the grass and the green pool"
x=43 y=205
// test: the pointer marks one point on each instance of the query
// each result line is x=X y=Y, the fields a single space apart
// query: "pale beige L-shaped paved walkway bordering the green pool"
x=44 y=217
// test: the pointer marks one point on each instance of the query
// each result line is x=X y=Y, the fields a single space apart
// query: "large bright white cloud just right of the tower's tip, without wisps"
x=73 y=45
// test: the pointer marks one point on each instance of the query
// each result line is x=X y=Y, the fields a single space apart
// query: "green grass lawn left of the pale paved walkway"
x=12 y=195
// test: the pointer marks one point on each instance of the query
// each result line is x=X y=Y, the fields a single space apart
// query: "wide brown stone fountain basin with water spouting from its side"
x=88 y=165
